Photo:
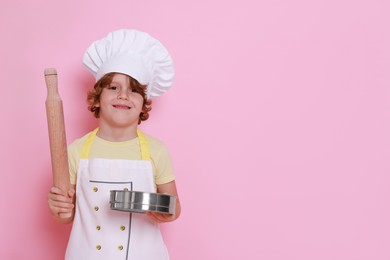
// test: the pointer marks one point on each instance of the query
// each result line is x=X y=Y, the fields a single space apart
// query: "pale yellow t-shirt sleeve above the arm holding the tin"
x=163 y=165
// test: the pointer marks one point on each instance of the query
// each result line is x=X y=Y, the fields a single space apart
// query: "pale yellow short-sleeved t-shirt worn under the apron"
x=130 y=150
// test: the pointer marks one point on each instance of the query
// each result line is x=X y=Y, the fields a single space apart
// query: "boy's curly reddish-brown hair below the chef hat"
x=93 y=97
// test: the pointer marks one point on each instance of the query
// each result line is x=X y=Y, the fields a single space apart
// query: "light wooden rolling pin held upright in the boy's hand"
x=57 y=137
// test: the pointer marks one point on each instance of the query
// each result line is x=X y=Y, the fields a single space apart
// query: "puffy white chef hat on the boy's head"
x=133 y=53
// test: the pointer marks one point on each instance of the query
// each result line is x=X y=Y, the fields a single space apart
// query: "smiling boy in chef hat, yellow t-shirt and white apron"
x=130 y=67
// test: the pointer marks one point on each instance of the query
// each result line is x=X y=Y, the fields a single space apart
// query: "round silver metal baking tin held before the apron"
x=142 y=202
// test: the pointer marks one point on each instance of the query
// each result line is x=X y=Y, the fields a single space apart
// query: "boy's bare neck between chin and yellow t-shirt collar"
x=115 y=134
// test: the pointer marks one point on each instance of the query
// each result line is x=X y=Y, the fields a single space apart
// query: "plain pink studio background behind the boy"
x=278 y=122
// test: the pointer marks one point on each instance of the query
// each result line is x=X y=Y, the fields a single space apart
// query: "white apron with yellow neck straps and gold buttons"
x=101 y=233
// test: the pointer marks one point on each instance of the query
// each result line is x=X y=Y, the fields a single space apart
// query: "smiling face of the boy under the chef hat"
x=119 y=105
